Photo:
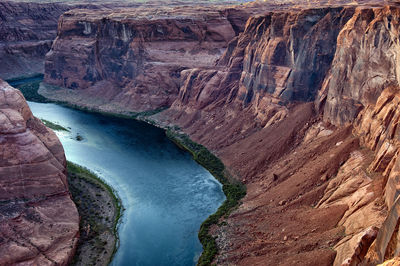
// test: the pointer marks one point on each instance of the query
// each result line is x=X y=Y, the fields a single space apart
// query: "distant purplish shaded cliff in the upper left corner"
x=27 y=31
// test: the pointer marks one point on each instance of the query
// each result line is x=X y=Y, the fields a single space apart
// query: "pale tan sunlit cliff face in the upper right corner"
x=366 y=61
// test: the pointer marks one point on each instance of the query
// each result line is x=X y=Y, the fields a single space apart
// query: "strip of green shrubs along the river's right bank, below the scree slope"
x=233 y=190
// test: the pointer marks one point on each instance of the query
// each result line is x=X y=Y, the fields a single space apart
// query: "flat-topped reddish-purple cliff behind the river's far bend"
x=131 y=59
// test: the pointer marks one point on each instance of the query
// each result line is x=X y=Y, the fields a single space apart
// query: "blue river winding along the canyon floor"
x=166 y=194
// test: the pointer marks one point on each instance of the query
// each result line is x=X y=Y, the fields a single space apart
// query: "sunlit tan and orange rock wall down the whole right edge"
x=363 y=89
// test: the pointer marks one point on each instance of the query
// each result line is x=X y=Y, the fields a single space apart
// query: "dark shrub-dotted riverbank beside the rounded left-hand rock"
x=100 y=210
